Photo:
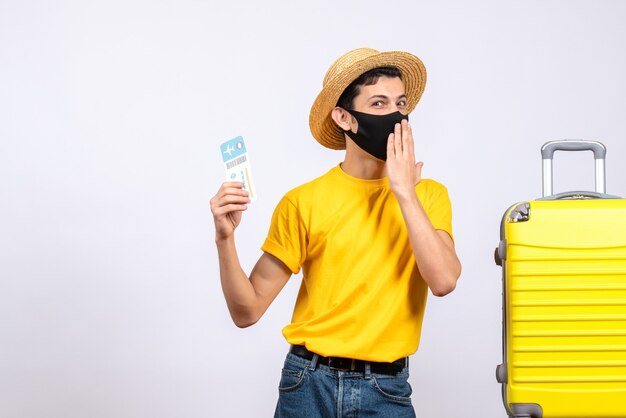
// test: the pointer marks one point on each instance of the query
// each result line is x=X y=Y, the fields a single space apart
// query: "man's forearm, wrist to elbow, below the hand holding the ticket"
x=239 y=292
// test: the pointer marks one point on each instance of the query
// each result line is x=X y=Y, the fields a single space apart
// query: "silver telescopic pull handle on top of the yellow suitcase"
x=599 y=154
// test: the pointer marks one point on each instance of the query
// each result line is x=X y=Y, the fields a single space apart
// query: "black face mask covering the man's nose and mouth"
x=373 y=131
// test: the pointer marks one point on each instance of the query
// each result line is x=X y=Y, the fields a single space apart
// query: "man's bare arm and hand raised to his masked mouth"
x=433 y=249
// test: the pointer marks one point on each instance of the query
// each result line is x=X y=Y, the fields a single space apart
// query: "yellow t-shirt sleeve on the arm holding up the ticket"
x=286 y=239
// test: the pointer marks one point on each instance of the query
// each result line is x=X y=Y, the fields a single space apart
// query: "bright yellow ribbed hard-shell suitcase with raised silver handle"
x=563 y=260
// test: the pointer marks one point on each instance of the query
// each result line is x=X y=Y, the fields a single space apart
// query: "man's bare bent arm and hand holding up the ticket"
x=247 y=298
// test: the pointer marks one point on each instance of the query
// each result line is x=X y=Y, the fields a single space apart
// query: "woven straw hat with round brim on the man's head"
x=348 y=68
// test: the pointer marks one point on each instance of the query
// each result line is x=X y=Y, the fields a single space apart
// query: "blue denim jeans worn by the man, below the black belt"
x=309 y=390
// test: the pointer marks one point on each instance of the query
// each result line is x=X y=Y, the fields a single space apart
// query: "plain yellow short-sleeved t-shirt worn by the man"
x=362 y=295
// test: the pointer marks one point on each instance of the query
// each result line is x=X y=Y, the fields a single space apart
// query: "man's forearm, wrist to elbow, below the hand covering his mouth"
x=436 y=260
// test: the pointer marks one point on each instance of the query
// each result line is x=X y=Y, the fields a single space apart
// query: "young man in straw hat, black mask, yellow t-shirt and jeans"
x=371 y=236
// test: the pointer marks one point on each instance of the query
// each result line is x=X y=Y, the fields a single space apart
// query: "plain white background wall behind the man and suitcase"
x=111 y=114
